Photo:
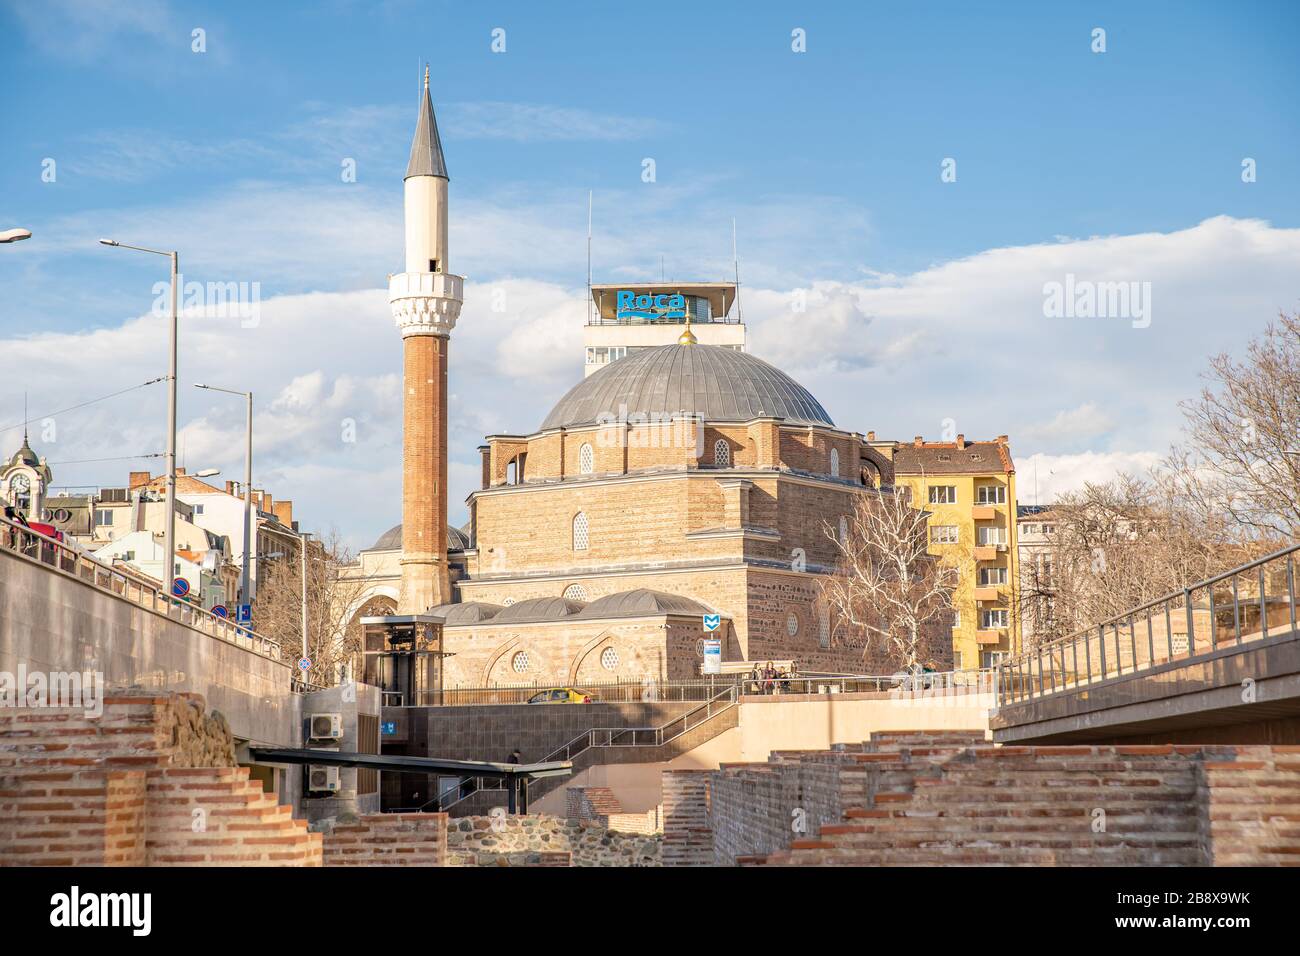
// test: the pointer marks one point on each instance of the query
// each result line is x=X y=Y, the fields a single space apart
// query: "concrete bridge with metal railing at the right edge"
x=1216 y=664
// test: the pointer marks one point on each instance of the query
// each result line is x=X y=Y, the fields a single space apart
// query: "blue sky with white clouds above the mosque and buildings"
x=908 y=181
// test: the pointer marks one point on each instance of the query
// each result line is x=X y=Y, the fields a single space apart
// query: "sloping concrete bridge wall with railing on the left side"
x=66 y=613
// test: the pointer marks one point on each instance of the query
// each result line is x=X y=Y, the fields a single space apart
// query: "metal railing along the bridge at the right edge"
x=1246 y=604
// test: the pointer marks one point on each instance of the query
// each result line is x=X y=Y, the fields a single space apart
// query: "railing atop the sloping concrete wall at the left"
x=145 y=592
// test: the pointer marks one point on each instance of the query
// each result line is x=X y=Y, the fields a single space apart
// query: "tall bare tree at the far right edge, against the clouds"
x=1243 y=453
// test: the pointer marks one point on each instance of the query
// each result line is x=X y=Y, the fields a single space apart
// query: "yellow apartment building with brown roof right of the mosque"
x=969 y=490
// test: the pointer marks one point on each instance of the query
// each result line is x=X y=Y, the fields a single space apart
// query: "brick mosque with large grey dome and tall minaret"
x=678 y=482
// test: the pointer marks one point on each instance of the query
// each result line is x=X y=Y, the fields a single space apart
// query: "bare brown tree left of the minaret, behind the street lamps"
x=332 y=602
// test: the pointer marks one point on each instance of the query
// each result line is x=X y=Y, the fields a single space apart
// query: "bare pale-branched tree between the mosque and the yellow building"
x=886 y=587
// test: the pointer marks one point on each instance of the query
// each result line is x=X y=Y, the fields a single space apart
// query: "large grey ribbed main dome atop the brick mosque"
x=710 y=382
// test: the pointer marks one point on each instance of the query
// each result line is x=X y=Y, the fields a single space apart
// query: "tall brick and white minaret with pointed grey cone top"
x=426 y=304
